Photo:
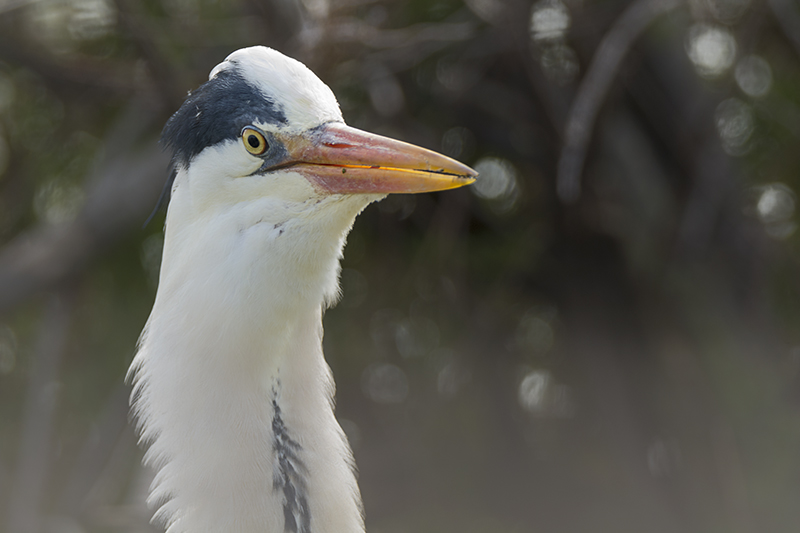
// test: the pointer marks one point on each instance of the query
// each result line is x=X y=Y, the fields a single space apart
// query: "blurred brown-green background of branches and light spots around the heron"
x=602 y=334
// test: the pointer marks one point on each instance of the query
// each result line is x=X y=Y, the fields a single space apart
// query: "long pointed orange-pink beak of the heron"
x=338 y=159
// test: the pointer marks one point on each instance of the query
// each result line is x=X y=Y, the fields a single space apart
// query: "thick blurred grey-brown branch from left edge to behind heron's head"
x=123 y=188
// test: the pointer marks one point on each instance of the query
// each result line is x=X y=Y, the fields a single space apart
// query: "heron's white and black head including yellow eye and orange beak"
x=265 y=128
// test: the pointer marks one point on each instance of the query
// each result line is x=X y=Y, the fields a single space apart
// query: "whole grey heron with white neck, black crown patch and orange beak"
x=231 y=392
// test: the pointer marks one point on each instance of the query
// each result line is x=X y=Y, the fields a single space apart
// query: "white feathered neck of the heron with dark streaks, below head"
x=233 y=393
